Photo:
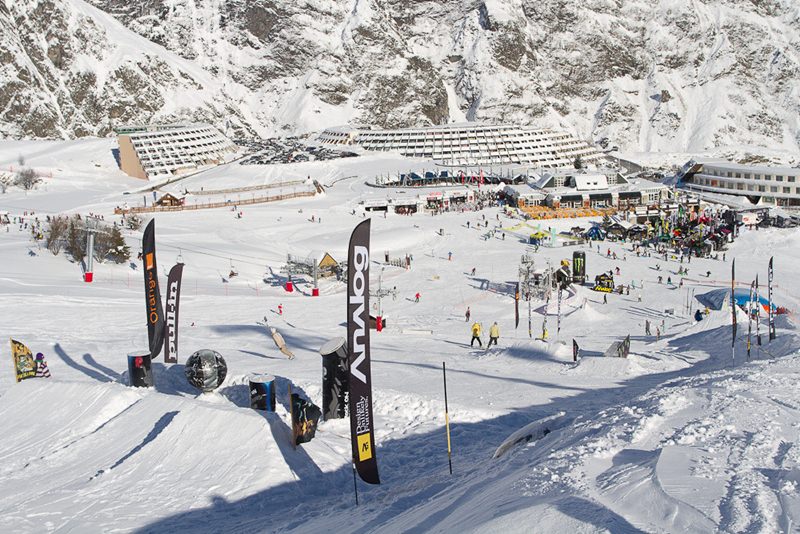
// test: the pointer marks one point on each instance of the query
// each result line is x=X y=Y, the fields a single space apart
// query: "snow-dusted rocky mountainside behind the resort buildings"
x=673 y=75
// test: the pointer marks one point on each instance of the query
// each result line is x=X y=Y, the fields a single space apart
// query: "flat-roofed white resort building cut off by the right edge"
x=759 y=184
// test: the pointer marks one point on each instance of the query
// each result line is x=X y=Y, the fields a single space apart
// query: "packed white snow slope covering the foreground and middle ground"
x=678 y=437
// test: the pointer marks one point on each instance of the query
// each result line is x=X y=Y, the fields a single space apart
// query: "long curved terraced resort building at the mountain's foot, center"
x=472 y=144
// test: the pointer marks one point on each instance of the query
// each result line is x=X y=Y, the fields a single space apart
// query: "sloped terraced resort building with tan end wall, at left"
x=160 y=151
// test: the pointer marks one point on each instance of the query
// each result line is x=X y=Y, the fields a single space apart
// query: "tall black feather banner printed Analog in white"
x=362 y=433
